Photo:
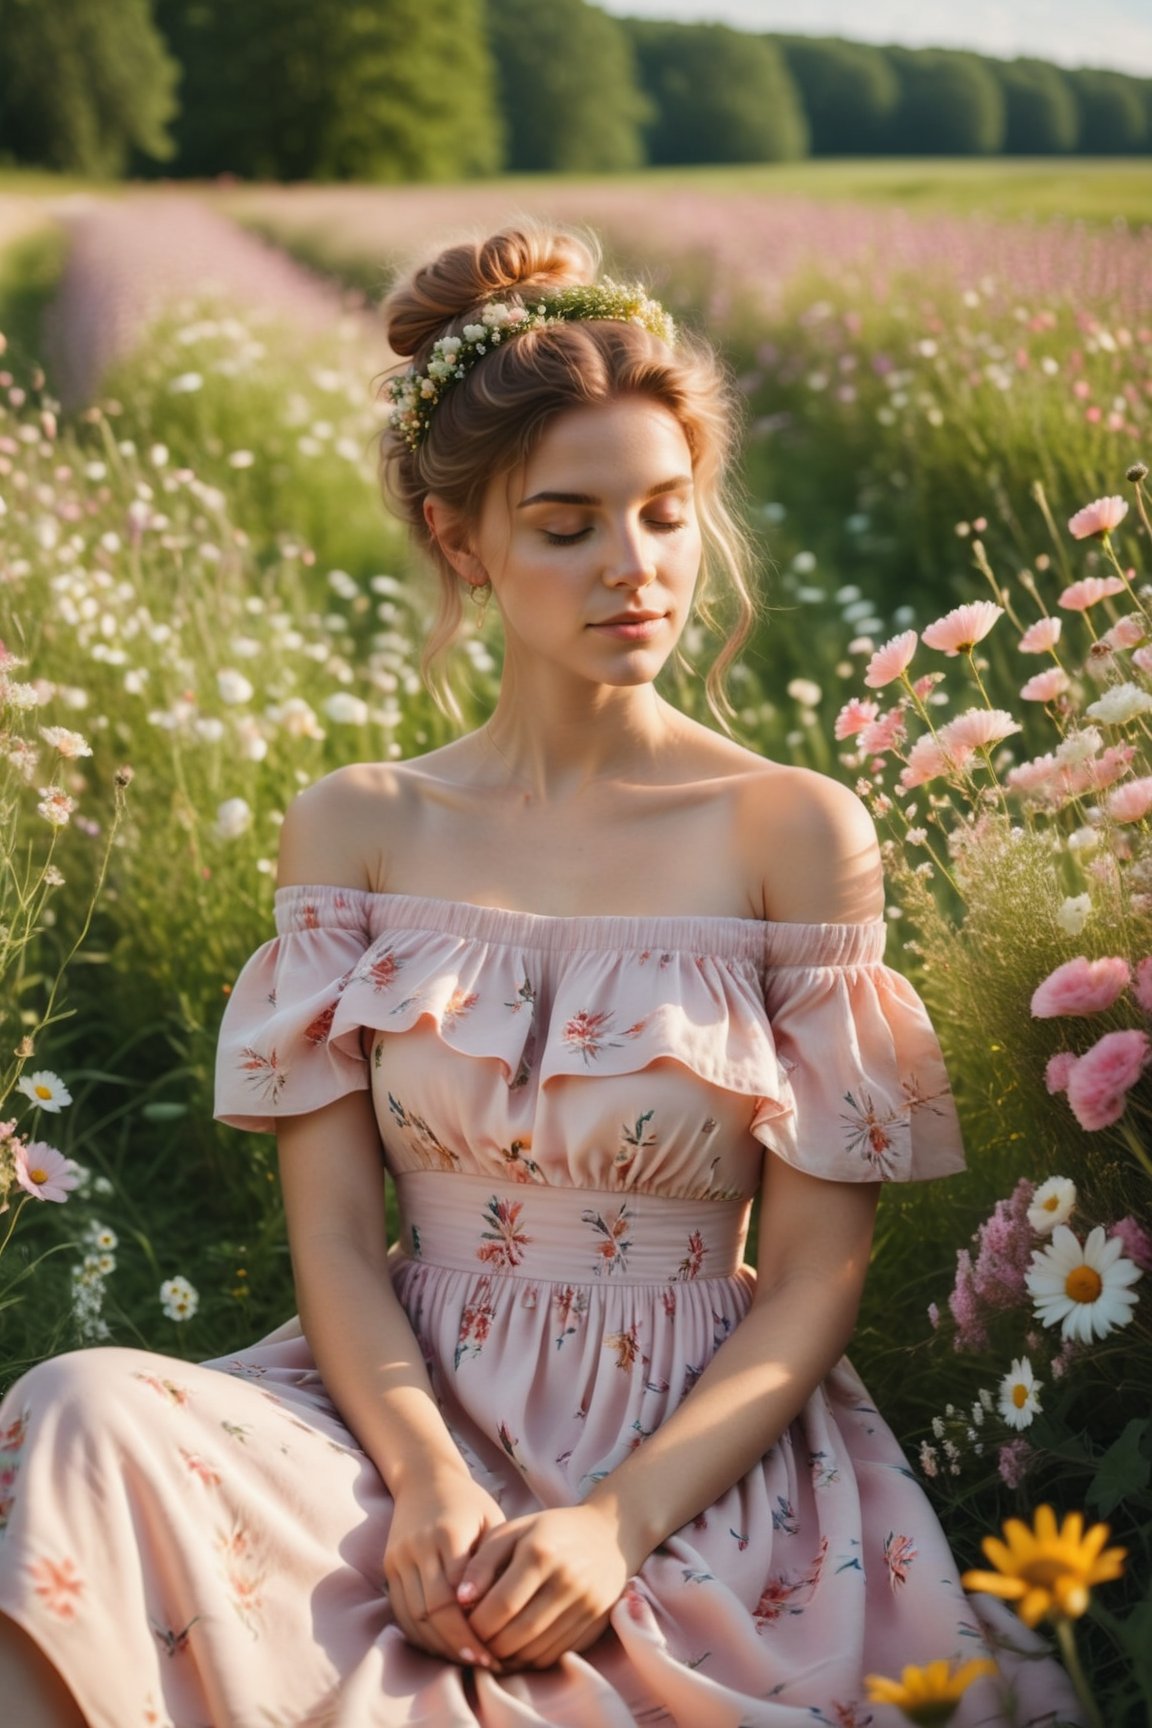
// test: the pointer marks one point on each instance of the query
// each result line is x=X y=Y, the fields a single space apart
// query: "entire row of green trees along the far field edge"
x=395 y=91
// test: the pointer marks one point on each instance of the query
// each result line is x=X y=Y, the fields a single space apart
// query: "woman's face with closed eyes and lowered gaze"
x=593 y=549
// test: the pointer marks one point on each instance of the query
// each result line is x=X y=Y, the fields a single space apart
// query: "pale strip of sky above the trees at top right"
x=1115 y=34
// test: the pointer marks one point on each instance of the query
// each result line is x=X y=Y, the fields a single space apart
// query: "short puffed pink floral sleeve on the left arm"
x=282 y=1046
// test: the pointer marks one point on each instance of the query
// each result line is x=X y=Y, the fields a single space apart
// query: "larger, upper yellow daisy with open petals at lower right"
x=1048 y=1572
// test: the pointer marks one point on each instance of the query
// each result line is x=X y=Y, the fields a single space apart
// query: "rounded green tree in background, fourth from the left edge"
x=719 y=96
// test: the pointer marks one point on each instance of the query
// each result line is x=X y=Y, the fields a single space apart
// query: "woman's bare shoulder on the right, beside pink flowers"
x=811 y=844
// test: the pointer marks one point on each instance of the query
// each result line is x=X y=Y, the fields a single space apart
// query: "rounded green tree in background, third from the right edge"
x=951 y=105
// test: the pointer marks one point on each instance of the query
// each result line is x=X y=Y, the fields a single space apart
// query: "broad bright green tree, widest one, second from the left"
x=334 y=89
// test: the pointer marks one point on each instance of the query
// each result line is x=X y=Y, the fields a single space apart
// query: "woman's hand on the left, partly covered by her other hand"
x=436 y=1527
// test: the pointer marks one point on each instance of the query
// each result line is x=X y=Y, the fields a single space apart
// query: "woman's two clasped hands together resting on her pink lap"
x=472 y=1587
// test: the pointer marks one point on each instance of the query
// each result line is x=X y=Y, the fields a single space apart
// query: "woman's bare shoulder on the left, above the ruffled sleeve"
x=338 y=830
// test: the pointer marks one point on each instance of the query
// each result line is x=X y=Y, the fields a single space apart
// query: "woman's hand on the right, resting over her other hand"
x=545 y=1584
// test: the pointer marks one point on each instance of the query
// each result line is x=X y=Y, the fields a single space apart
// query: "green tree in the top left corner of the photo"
x=84 y=84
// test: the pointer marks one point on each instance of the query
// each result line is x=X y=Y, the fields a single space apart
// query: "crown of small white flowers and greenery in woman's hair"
x=415 y=395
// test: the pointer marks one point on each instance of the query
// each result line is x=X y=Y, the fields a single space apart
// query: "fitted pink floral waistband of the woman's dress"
x=567 y=1235
